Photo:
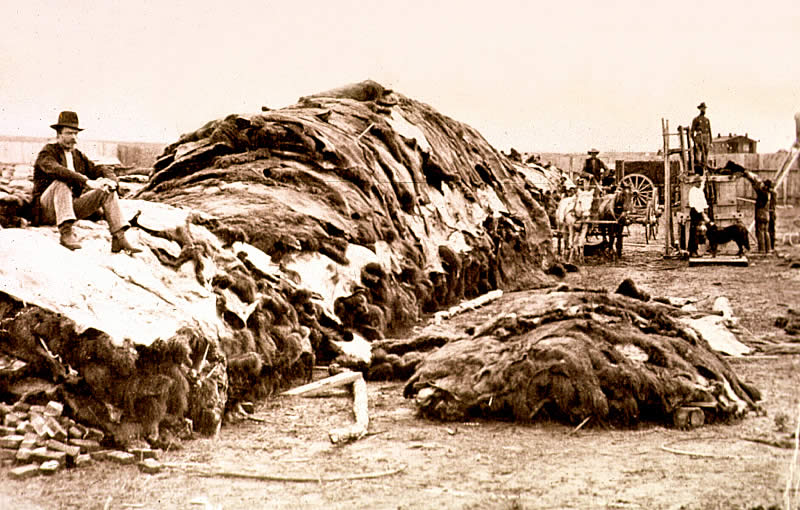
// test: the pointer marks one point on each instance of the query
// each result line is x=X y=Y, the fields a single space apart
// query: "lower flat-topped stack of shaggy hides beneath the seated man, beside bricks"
x=163 y=341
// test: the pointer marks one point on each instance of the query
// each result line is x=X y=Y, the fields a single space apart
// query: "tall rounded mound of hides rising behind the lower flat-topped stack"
x=379 y=205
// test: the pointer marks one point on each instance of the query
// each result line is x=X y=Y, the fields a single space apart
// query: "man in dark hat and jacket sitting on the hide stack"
x=67 y=186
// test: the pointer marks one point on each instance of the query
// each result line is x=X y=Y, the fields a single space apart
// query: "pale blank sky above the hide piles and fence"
x=555 y=76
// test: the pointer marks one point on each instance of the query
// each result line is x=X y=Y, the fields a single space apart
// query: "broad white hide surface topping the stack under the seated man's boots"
x=134 y=298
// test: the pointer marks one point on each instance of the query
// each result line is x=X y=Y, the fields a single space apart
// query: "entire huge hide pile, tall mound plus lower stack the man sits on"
x=272 y=242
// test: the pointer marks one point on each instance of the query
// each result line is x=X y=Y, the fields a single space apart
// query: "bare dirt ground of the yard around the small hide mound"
x=410 y=463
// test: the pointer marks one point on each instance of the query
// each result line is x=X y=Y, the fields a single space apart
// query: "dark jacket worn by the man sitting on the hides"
x=51 y=165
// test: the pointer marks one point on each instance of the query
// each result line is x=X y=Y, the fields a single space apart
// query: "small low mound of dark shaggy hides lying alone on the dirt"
x=570 y=355
